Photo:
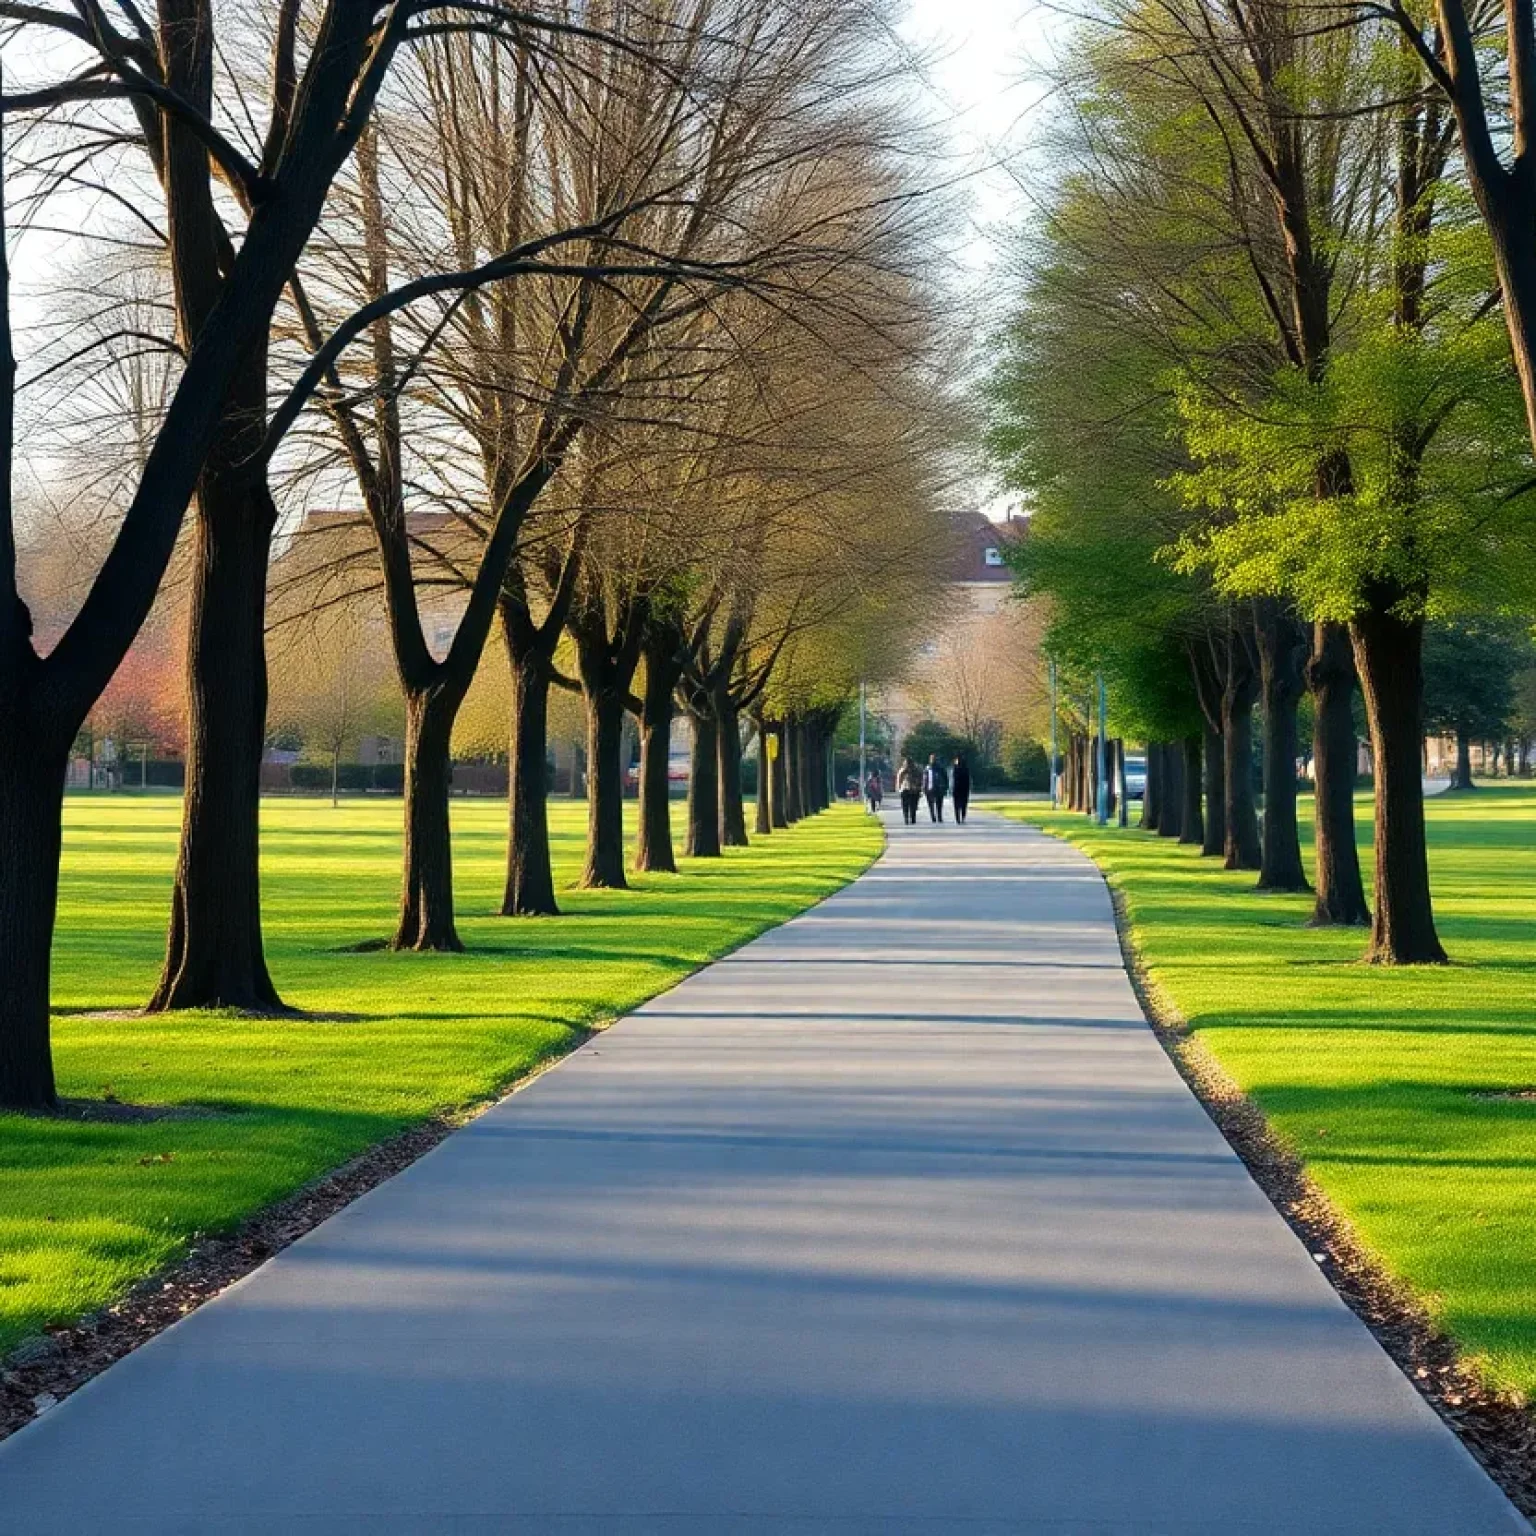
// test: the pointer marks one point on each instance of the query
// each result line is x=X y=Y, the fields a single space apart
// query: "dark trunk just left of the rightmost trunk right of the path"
x=1331 y=677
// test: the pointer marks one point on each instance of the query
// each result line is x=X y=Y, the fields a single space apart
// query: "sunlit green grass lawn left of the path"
x=88 y=1208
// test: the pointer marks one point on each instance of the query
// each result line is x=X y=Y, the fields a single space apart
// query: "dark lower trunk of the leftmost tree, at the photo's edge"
x=31 y=807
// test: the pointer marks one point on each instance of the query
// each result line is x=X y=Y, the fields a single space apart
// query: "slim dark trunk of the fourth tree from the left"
x=531 y=873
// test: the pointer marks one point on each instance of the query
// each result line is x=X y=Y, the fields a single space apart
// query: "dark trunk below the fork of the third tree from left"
x=426 y=909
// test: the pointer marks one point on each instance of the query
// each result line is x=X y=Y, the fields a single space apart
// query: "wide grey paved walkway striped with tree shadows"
x=898 y=1220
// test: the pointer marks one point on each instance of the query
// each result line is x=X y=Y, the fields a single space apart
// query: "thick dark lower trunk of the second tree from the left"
x=214 y=950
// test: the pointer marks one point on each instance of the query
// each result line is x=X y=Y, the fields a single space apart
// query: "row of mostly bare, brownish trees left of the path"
x=606 y=325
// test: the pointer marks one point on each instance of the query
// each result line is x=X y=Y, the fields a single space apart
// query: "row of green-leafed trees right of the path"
x=1266 y=383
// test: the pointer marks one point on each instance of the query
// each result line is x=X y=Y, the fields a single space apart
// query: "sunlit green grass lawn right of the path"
x=1379 y=1079
